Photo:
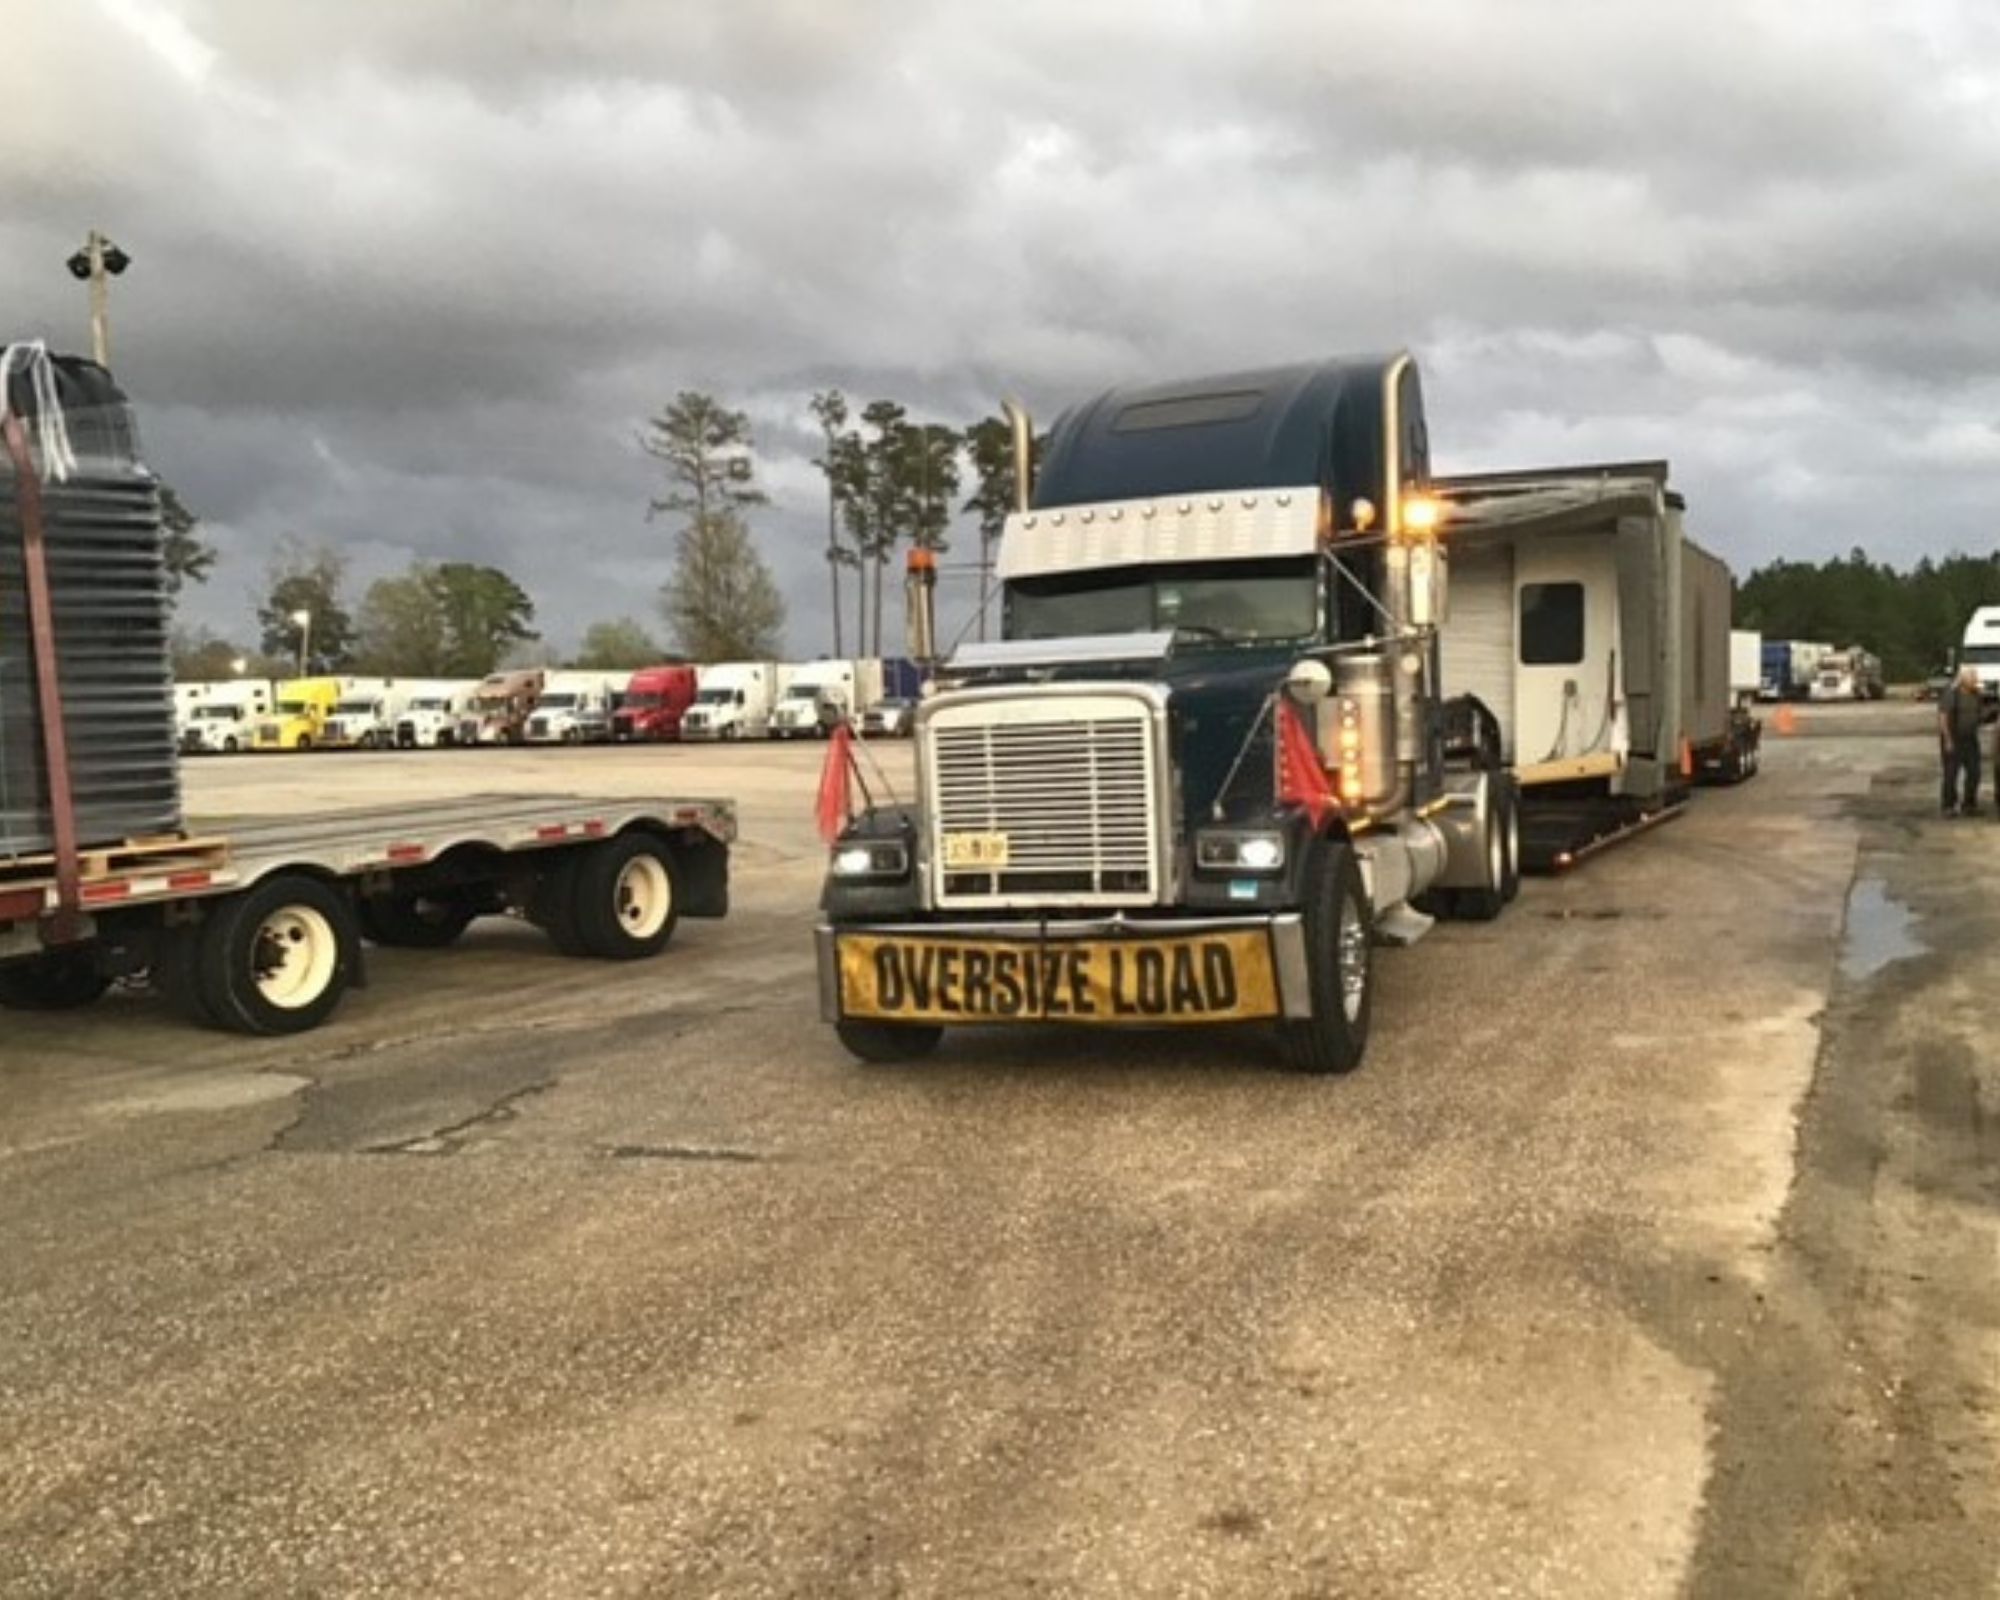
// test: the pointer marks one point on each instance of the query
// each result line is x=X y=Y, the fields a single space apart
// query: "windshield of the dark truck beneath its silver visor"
x=1255 y=601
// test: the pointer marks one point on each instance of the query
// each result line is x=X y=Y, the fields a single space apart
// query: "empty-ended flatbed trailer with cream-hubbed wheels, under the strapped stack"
x=257 y=927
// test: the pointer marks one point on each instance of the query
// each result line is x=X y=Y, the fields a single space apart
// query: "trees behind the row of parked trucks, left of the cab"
x=891 y=481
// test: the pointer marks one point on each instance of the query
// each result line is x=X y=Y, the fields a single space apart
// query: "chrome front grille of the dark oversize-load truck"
x=1073 y=795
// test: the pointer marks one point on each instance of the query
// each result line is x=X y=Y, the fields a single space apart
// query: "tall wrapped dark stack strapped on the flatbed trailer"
x=109 y=591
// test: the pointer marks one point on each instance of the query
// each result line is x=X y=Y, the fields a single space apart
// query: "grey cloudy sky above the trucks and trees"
x=411 y=273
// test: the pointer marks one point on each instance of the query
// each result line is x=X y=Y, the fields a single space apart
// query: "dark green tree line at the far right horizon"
x=1913 y=619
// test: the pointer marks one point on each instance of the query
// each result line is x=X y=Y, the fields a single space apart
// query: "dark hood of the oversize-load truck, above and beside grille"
x=1215 y=697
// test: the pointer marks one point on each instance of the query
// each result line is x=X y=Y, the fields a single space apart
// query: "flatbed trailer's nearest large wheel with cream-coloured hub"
x=279 y=957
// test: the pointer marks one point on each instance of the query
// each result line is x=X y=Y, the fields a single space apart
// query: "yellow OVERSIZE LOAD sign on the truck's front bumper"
x=1223 y=977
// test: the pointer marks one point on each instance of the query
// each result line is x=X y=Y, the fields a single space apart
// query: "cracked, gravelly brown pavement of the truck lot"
x=1651 y=1253
